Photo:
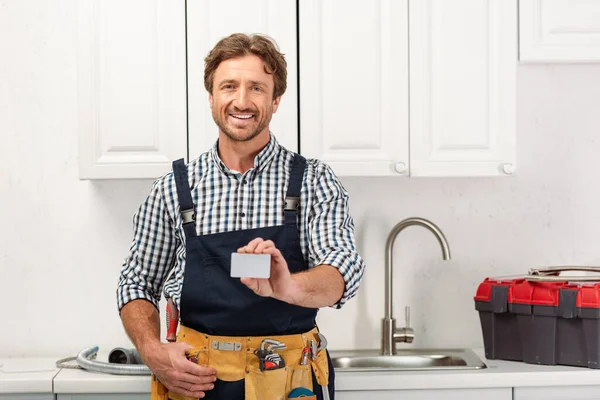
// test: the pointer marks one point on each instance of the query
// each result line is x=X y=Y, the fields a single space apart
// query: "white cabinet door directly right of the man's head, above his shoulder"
x=354 y=85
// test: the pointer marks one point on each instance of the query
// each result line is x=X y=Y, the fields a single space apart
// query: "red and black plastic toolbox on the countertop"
x=542 y=317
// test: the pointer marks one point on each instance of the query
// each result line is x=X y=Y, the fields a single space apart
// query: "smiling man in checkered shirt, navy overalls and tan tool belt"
x=248 y=338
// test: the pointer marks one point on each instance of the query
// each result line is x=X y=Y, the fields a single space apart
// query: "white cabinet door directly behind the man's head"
x=211 y=20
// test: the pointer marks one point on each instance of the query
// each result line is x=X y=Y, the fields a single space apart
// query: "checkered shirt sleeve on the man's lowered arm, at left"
x=151 y=253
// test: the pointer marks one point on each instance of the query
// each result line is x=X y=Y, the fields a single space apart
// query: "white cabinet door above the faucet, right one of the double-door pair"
x=463 y=58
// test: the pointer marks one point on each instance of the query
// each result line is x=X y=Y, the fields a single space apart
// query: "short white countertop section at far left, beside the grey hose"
x=27 y=375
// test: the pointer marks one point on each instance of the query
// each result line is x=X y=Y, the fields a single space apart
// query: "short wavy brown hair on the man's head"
x=240 y=44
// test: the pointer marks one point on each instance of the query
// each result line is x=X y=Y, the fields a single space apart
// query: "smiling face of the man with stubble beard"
x=242 y=98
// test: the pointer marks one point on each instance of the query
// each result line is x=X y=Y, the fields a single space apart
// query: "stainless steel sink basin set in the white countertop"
x=406 y=360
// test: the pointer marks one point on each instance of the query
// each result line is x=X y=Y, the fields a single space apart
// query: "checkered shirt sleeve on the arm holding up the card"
x=331 y=233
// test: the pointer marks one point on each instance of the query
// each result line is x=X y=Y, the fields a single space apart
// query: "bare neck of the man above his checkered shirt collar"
x=239 y=156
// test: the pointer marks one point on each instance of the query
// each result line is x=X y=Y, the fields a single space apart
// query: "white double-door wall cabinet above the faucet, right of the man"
x=426 y=89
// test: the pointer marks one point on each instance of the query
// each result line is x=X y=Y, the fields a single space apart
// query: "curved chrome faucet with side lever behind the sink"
x=391 y=335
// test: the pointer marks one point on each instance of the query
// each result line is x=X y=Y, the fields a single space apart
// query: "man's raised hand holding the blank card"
x=280 y=285
